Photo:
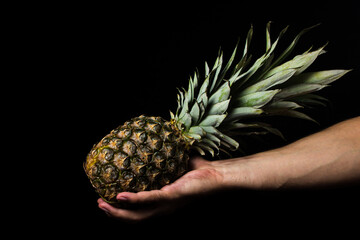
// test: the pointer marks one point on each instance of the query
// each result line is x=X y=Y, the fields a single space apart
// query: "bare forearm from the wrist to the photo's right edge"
x=328 y=157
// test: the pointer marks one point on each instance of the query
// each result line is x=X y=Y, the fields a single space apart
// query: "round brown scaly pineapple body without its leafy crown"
x=145 y=153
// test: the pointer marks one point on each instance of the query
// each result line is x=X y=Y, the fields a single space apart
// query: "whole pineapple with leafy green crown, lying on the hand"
x=148 y=153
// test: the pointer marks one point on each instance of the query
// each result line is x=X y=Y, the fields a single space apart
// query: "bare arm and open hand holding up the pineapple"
x=329 y=157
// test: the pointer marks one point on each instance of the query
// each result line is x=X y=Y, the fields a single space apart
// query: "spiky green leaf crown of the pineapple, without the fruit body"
x=215 y=107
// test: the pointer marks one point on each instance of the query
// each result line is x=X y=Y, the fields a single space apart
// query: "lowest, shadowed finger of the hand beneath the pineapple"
x=126 y=214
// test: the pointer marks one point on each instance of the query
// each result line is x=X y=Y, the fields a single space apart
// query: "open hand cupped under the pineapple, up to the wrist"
x=203 y=178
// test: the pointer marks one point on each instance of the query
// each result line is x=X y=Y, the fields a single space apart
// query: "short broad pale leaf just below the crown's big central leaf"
x=257 y=99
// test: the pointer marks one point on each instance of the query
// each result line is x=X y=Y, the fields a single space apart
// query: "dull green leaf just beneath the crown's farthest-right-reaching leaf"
x=298 y=89
